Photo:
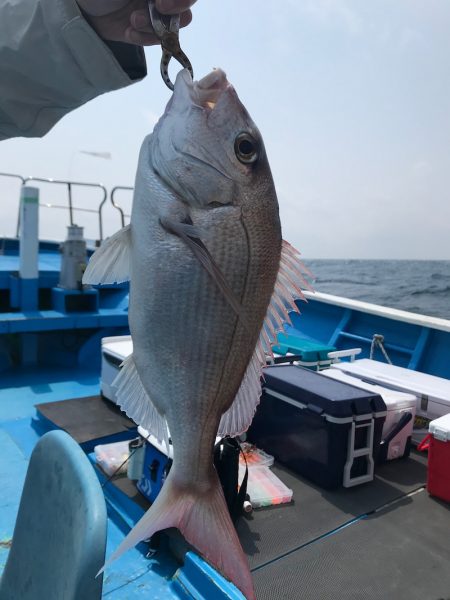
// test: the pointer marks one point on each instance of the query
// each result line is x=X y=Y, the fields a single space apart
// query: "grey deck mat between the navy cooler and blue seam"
x=271 y=532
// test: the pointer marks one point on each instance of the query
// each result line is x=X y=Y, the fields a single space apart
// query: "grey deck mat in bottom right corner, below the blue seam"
x=400 y=553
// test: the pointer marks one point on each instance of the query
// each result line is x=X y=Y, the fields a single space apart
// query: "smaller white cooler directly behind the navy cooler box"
x=397 y=403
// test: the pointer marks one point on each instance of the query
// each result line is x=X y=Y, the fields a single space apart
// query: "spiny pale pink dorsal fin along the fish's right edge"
x=287 y=289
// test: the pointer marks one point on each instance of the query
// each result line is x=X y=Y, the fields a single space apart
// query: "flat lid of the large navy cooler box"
x=321 y=394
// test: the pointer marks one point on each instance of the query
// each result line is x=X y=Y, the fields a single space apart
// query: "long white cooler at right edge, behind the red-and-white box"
x=432 y=393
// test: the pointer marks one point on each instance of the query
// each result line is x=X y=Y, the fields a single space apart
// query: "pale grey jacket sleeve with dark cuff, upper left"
x=52 y=61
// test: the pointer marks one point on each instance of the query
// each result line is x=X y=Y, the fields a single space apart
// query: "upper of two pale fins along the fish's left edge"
x=111 y=262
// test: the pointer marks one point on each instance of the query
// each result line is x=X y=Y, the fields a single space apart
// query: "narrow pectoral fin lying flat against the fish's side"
x=191 y=237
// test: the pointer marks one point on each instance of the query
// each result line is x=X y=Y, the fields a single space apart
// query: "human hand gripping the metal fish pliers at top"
x=129 y=20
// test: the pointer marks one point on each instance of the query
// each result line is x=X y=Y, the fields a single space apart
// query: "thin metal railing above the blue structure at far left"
x=70 y=207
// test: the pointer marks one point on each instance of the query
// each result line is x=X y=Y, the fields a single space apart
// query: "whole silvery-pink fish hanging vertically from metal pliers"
x=211 y=283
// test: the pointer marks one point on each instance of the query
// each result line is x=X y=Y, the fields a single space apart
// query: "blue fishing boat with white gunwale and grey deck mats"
x=385 y=539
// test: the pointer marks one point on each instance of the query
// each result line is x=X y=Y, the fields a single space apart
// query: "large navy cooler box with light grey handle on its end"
x=322 y=429
